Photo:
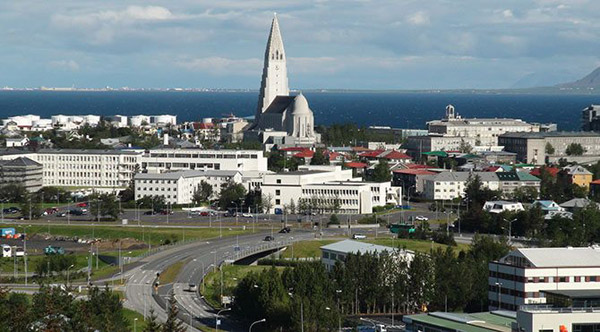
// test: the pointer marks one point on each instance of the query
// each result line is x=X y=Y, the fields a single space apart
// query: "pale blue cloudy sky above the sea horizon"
x=330 y=44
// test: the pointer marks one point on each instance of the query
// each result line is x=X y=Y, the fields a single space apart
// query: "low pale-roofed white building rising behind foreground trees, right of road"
x=337 y=252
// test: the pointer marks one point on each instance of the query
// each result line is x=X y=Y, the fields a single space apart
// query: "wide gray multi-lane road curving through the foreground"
x=200 y=257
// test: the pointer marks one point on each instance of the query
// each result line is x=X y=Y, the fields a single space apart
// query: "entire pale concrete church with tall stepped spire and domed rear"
x=280 y=119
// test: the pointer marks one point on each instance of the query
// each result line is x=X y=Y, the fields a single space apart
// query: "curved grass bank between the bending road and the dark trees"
x=232 y=274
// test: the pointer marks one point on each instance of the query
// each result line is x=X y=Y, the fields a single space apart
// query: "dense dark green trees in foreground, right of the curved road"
x=368 y=283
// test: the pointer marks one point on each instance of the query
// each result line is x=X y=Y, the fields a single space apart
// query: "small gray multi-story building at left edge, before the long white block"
x=22 y=170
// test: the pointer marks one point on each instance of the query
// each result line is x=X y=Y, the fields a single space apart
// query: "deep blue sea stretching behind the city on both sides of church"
x=394 y=109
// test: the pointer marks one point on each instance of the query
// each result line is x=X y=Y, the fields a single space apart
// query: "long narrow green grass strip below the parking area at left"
x=146 y=234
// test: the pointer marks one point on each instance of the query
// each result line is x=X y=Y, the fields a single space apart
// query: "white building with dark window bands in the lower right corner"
x=520 y=277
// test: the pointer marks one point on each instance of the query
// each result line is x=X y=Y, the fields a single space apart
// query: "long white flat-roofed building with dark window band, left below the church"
x=162 y=160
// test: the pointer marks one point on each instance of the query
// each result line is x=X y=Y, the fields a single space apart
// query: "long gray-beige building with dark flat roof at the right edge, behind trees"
x=532 y=147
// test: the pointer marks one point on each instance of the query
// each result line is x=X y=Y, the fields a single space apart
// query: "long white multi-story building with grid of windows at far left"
x=98 y=169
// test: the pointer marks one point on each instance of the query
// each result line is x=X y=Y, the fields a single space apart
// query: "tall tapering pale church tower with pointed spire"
x=274 y=79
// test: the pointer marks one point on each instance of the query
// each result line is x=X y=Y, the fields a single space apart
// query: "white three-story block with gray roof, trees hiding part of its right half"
x=179 y=187
